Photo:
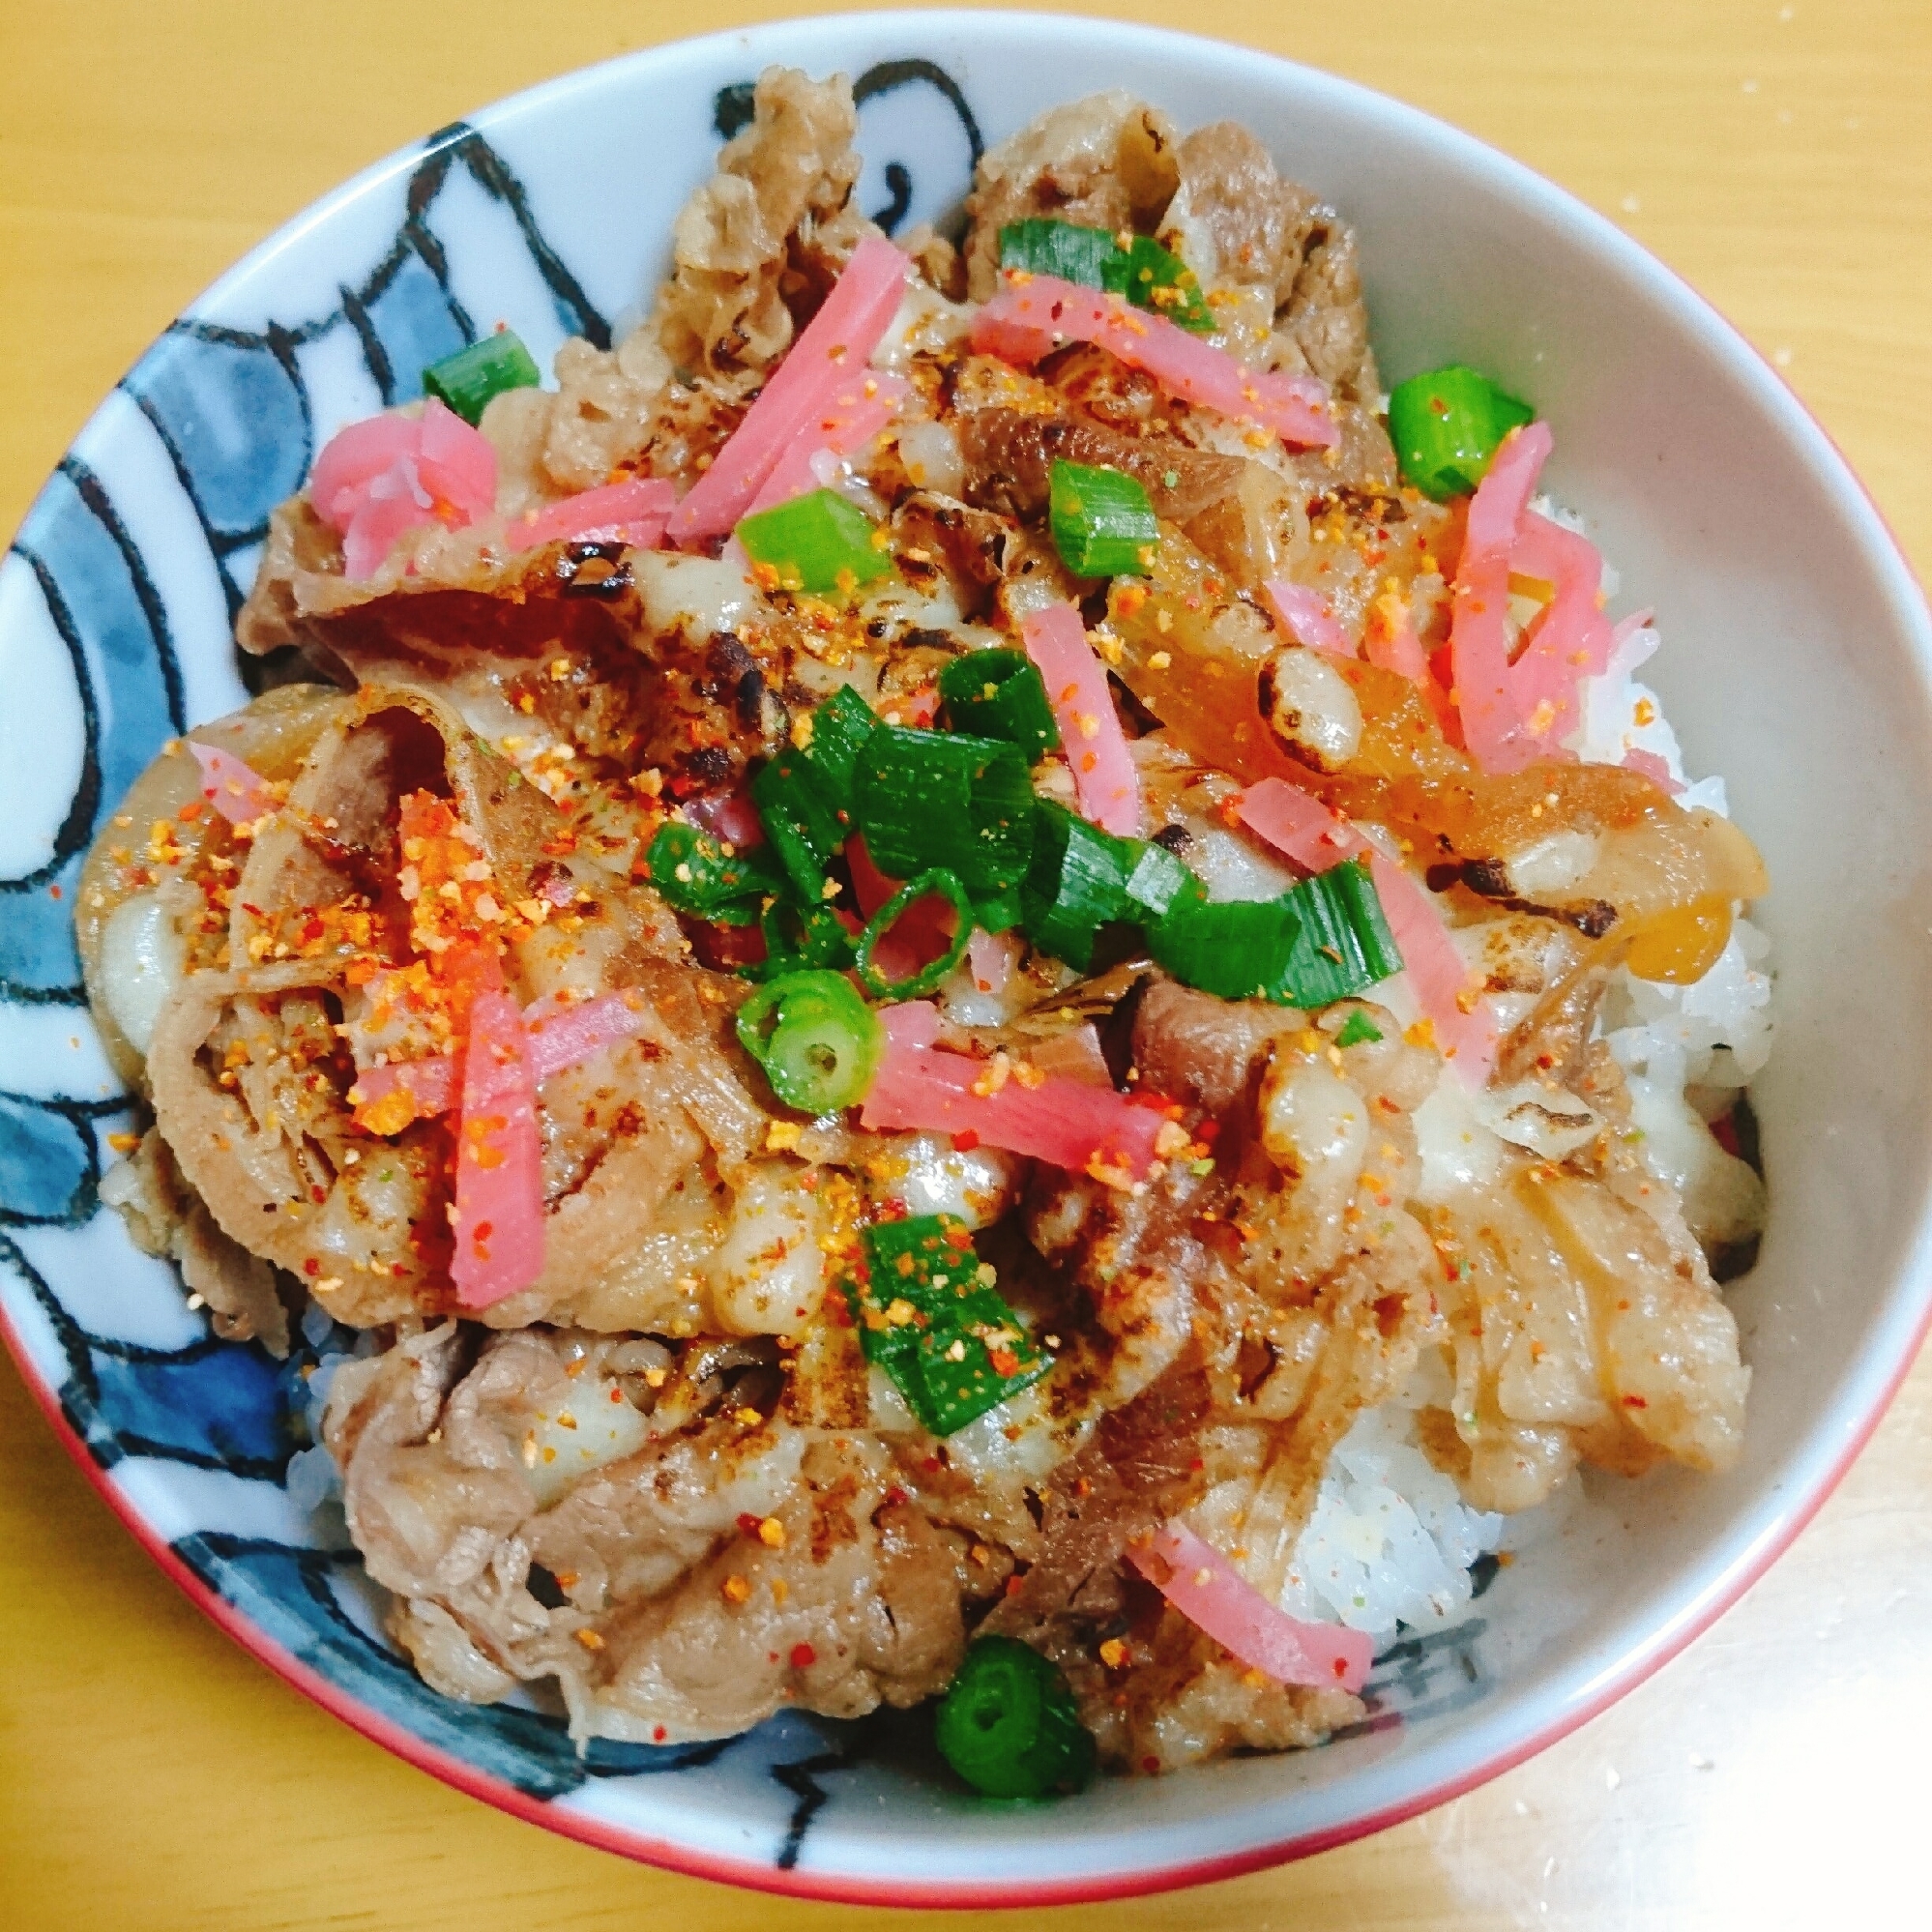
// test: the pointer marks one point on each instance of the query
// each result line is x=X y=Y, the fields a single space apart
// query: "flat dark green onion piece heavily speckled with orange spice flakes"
x=946 y=1338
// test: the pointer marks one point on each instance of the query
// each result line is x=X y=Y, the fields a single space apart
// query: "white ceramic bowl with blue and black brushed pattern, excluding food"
x=1796 y=664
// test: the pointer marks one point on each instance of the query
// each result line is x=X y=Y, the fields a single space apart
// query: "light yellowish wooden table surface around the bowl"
x=156 y=1776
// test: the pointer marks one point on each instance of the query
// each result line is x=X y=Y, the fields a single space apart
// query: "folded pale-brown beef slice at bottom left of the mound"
x=691 y=1587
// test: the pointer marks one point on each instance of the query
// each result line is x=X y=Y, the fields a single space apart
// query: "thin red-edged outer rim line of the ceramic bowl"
x=1634 y=1670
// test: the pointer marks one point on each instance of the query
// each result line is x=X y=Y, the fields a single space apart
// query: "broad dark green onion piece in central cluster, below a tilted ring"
x=934 y=799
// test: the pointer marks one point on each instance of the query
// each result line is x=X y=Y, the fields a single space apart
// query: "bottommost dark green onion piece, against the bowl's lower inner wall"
x=1009 y=1724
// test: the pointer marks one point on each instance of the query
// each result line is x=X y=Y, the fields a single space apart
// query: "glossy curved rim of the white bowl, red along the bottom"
x=1871 y=1378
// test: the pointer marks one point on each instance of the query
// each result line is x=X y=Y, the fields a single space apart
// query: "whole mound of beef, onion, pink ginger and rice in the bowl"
x=961 y=979
